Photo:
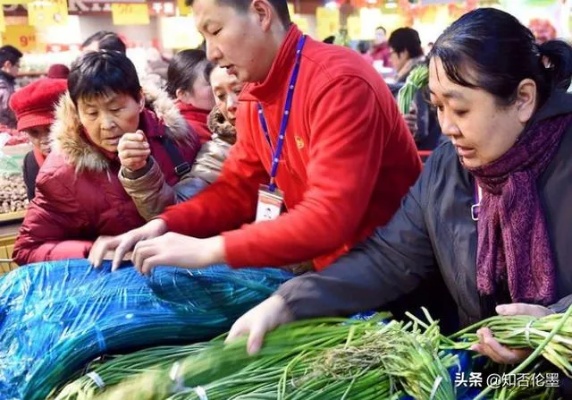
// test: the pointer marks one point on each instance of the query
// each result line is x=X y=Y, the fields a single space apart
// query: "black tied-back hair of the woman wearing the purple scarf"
x=490 y=49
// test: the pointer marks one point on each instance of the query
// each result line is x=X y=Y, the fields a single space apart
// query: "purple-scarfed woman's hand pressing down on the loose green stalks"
x=260 y=320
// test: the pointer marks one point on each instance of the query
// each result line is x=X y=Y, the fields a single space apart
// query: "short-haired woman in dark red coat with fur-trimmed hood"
x=79 y=194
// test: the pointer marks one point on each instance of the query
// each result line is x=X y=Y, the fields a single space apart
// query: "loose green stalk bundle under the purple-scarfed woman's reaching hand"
x=325 y=359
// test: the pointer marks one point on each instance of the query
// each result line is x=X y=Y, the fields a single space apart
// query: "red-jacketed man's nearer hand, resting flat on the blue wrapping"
x=177 y=250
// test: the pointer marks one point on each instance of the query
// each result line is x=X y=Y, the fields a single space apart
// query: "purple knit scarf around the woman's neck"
x=513 y=243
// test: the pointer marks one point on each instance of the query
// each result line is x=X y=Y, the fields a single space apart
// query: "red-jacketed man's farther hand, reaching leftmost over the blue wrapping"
x=117 y=247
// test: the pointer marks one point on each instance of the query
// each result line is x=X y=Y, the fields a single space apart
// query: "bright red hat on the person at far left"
x=34 y=104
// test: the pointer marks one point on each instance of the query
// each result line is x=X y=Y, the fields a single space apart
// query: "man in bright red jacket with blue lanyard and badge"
x=318 y=131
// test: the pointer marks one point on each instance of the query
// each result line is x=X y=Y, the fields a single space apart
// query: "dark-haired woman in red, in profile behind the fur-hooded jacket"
x=187 y=83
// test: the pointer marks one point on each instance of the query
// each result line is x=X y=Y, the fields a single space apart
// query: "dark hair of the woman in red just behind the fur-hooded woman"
x=184 y=69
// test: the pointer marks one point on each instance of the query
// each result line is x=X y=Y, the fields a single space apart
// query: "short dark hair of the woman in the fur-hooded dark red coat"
x=99 y=73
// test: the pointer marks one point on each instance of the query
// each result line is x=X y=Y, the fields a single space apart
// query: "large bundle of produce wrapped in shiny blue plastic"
x=56 y=317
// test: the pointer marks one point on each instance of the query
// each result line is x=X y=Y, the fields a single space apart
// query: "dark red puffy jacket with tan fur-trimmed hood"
x=78 y=193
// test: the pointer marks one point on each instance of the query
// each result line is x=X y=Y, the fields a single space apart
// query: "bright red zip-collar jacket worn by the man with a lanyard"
x=348 y=159
